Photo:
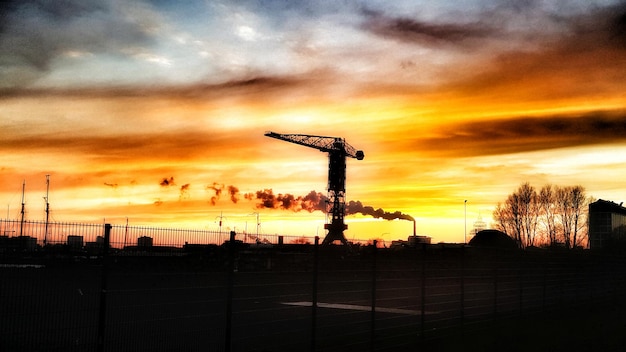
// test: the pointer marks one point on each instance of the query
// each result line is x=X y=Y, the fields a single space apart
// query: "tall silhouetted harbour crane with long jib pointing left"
x=337 y=150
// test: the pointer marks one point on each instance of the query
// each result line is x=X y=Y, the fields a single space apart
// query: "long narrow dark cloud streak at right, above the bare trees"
x=524 y=134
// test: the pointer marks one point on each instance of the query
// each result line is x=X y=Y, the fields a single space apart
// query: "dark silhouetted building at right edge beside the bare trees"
x=607 y=224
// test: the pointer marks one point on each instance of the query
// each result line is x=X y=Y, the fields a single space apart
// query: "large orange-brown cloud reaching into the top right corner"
x=585 y=60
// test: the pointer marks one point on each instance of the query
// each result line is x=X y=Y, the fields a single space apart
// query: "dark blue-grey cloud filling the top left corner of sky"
x=36 y=32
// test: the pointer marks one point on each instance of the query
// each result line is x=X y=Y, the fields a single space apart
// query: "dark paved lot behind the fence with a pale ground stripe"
x=172 y=304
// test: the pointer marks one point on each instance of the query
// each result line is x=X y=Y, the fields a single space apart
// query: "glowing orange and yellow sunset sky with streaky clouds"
x=155 y=111
